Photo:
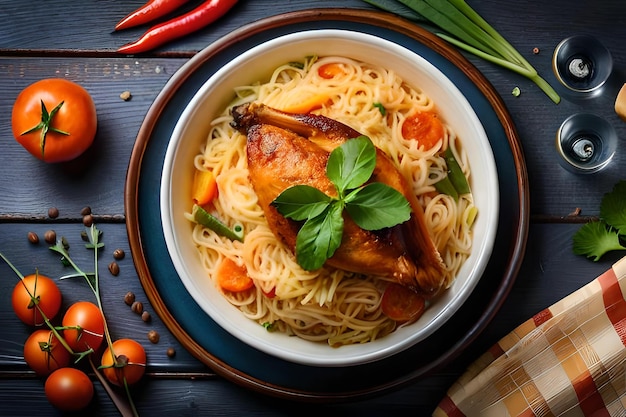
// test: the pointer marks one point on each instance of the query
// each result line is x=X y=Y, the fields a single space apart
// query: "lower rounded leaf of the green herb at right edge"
x=594 y=239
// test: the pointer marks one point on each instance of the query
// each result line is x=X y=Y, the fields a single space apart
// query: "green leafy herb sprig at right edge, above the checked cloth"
x=598 y=237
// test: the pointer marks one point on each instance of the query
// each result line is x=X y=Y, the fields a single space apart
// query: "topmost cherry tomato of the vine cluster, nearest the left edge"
x=45 y=294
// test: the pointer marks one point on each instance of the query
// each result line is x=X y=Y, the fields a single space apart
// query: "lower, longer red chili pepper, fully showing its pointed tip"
x=196 y=19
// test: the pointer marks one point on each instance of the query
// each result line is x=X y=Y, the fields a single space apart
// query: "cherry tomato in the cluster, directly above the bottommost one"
x=44 y=353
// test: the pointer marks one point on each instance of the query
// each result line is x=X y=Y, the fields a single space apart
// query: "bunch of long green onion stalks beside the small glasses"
x=463 y=27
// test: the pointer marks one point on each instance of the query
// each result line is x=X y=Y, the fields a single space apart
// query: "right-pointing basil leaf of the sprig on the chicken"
x=377 y=206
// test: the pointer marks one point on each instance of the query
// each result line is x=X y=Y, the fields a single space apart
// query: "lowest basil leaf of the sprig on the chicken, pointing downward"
x=319 y=237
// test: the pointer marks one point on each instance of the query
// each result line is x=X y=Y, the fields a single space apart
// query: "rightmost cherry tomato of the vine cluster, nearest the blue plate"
x=130 y=362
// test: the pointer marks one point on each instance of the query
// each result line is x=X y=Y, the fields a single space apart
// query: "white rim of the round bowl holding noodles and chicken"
x=297 y=355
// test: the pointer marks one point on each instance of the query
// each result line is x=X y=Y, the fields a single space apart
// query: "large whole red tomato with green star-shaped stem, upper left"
x=54 y=119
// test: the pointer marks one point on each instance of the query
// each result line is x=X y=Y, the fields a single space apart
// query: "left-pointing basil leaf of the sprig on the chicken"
x=301 y=202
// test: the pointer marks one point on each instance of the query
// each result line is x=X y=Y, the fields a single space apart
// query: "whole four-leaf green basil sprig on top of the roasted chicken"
x=372 y=206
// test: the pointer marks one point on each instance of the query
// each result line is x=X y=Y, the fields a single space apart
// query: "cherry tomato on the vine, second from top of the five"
x=83 y=326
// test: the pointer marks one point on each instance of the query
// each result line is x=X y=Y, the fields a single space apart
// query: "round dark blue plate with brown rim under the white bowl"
x=237 y=361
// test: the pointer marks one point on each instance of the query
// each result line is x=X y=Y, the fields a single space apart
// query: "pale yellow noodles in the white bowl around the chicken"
x=327 y=305
